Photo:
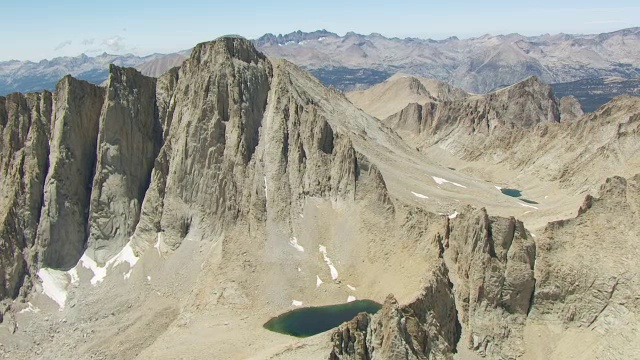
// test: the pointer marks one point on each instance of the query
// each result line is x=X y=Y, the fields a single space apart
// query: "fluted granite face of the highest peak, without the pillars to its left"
x=243 y=144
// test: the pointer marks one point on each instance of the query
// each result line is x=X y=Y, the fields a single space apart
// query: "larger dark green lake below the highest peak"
x=310 y=321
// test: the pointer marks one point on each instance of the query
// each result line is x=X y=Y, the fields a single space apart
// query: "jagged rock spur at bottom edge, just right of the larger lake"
x=423 y=329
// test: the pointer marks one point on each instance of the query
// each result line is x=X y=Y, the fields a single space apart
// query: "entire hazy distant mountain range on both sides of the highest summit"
x=356 y=61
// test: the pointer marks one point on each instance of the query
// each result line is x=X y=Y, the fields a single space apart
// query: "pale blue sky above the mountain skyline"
x=37 y=29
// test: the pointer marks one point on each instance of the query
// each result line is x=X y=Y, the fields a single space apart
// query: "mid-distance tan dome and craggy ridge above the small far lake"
x=426 y=120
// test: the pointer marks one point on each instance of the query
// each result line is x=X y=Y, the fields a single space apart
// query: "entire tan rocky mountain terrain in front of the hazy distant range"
x=173 y=217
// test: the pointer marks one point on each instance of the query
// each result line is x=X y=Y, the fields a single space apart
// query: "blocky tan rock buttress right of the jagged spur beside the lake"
x=494 y=265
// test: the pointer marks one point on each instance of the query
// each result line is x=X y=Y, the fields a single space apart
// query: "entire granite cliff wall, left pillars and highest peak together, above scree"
x=86 y=168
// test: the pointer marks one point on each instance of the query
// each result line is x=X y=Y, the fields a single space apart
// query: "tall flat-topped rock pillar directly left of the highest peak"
x=129 y=137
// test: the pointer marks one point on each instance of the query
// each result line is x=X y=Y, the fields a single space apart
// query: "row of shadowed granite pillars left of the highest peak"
x=58 y=151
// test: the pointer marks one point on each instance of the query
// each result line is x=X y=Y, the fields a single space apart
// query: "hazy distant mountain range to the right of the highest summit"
x=477 y=65
